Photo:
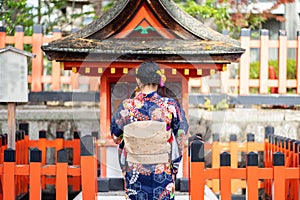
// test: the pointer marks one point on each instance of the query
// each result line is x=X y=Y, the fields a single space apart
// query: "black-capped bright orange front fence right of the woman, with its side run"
x=280 y=175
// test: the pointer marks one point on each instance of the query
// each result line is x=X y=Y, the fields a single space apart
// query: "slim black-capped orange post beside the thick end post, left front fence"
x=62 y=175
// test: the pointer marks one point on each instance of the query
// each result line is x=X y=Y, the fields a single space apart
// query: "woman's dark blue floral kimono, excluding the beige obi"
x=150 y=181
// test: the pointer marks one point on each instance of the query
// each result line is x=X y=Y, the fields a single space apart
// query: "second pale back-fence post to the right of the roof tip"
x=264 y=59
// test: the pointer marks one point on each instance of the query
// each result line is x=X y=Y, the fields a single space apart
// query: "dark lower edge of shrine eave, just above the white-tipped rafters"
x=140 y=57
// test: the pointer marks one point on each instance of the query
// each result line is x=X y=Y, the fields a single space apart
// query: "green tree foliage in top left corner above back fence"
x=17 y=13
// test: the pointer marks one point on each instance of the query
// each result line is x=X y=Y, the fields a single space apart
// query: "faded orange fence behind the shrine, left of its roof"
x=38 y=78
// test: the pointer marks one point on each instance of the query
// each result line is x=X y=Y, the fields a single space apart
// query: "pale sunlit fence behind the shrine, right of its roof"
x=242 y=84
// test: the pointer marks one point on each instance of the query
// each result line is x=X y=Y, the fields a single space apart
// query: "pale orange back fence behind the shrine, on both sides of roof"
x=57 y=80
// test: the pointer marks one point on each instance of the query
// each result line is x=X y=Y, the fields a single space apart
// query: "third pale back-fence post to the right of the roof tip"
x=282 y=58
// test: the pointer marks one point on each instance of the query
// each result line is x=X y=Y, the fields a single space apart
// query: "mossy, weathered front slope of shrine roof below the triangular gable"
x=144 y=46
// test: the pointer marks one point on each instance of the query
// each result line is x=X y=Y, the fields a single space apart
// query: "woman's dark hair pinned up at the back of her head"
x=147 y=73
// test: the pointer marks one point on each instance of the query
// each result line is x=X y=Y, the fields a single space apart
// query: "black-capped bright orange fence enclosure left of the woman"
x=25 y=169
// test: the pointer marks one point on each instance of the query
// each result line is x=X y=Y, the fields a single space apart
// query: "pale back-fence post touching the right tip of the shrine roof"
x=245 y=62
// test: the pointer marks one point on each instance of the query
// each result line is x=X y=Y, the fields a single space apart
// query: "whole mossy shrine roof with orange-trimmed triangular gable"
x=145 y=29
